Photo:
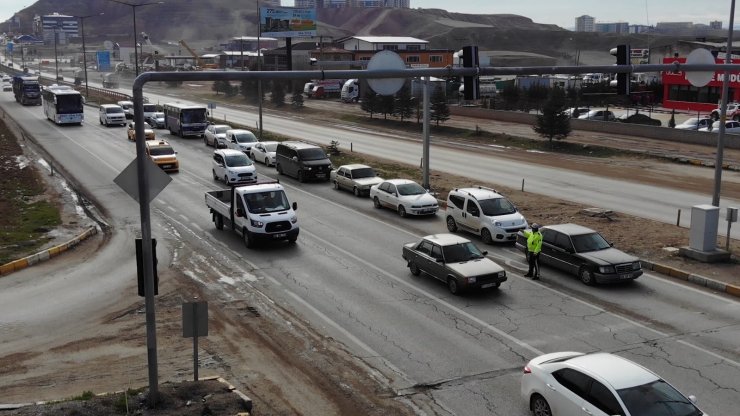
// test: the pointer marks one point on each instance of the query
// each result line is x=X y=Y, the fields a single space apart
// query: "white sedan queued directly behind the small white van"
x=404 y=196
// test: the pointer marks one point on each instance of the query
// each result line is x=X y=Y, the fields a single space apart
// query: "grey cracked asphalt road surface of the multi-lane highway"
x=449 y=355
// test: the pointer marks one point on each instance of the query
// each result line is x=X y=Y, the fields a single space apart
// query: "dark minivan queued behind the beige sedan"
x=302 y=161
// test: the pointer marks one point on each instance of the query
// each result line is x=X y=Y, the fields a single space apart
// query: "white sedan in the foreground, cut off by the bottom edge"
x=599 y=384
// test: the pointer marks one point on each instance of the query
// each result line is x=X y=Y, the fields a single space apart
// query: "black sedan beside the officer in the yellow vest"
x=585 y=253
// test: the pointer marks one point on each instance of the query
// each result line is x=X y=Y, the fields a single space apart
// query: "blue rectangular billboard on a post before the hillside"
x=287 y=22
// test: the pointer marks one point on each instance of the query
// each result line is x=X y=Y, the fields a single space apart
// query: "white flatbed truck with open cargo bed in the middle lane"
x=258 y=212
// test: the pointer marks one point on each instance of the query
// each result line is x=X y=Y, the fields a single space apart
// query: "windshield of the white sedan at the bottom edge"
x=657 y=399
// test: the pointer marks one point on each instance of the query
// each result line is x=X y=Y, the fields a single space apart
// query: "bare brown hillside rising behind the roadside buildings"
x=207 y=23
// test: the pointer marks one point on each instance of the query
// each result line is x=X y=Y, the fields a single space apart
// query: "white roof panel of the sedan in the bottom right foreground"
x=603 y=365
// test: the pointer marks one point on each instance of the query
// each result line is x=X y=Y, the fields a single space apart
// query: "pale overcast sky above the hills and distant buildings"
x=559 y=12
